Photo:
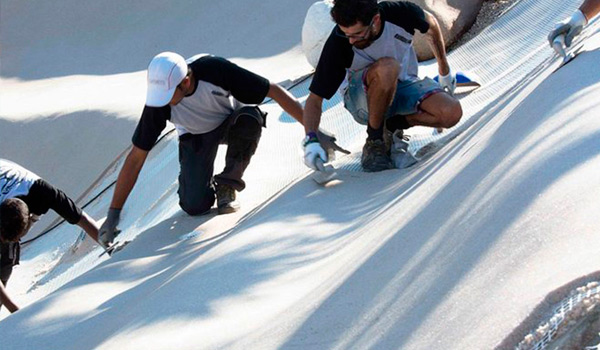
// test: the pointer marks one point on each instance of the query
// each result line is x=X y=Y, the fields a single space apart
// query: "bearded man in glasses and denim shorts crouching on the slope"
x=370 y=54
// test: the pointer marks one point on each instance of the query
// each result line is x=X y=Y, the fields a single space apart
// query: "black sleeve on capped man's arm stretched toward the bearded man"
x=245 y=86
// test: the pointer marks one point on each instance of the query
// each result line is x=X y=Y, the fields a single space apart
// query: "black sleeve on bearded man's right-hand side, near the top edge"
x=404 y=14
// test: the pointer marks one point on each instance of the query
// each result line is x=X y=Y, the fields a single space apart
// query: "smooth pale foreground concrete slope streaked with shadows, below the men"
x=451 y=254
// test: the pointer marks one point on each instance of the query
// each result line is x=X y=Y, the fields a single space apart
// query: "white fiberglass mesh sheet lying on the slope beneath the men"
x=504 y=56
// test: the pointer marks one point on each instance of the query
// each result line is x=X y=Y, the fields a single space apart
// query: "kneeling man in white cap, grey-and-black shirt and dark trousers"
x=211 y=101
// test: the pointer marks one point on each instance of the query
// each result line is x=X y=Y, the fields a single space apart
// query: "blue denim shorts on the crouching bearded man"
x=409 y=95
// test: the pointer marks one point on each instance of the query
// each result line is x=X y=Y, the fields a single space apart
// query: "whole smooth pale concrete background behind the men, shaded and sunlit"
x=72 y=78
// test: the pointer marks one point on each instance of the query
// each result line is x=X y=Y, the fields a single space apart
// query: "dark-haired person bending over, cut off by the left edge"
x=24 y=197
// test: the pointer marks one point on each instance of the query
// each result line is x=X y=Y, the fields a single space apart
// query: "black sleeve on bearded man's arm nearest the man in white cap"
x=336 y=56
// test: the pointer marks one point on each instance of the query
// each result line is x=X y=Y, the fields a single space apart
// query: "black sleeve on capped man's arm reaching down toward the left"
x=152 y=123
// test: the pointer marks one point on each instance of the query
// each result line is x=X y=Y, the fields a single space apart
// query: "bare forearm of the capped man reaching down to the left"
x=128 y=176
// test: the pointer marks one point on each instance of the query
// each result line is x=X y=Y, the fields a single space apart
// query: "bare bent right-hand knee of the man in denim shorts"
x=439 y=111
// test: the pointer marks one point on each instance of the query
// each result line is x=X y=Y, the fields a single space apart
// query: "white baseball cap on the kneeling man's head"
x=165 y=72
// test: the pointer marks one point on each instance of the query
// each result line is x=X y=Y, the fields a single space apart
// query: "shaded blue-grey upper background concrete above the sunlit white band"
x=45 y=39
